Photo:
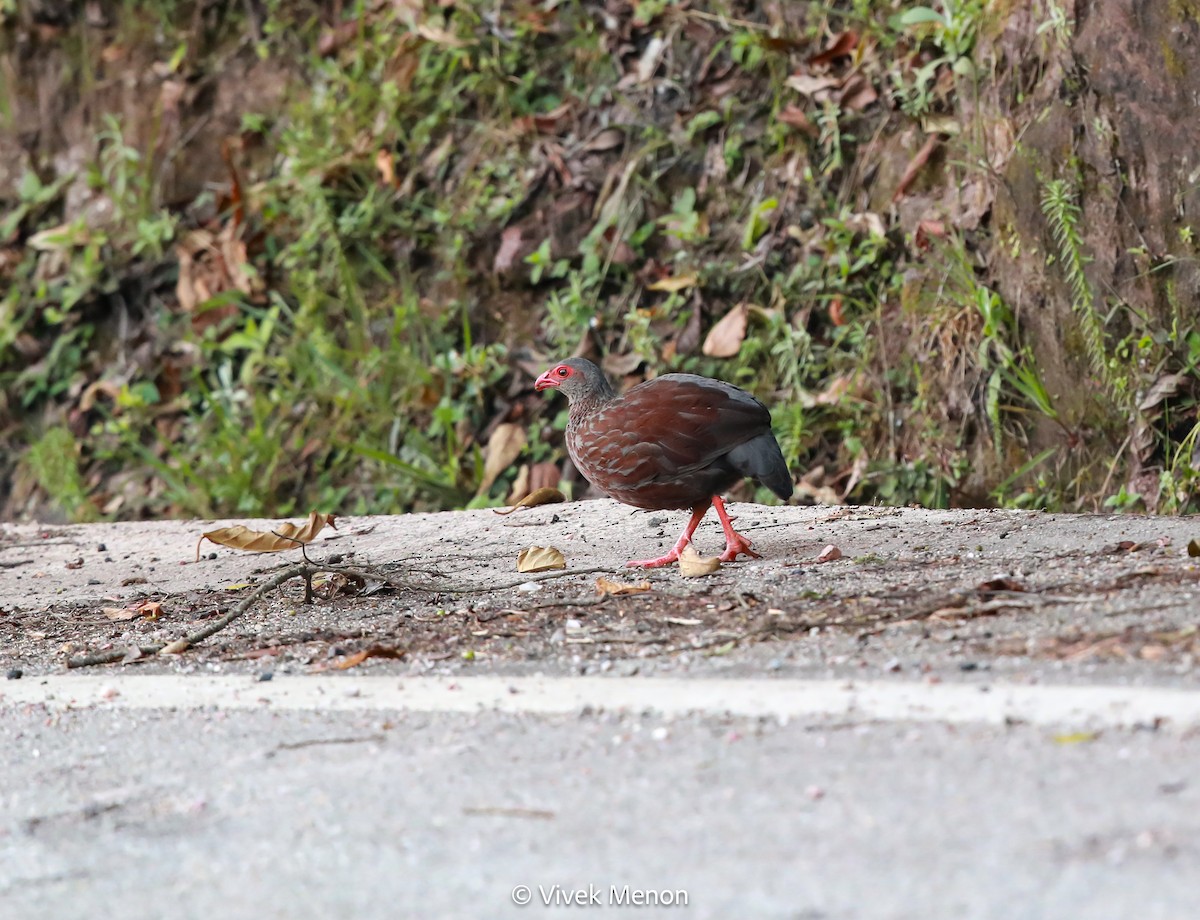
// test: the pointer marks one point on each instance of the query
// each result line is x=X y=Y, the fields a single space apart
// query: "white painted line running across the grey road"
x=1077 y=707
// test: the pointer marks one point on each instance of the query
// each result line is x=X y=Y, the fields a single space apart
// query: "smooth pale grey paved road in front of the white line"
x=235 y=810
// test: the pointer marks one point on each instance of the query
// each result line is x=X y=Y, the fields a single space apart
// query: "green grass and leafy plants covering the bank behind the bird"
x=358 y=350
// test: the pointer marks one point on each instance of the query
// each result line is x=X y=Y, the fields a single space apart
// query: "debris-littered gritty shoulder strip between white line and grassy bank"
x=947 y=594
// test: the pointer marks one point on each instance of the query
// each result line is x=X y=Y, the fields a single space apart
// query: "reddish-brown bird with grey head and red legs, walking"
x=676 y=442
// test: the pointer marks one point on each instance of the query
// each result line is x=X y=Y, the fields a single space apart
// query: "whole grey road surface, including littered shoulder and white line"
x=968 y=715
